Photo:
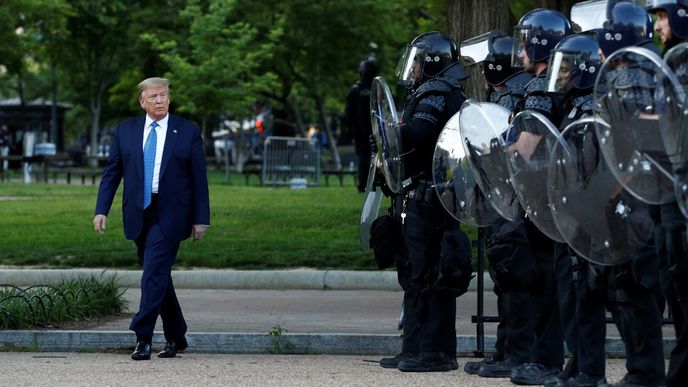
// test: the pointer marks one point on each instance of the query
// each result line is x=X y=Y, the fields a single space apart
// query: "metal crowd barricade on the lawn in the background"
x=287 y=158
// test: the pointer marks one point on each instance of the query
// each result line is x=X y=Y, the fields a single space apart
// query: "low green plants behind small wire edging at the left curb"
x=73 y=300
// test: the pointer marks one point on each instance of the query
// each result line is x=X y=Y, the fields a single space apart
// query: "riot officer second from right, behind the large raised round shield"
x=634 y=286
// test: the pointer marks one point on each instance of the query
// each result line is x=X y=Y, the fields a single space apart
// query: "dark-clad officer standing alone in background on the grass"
x=357 y=111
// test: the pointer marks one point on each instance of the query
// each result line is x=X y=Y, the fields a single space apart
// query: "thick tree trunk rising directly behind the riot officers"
x=469 y=18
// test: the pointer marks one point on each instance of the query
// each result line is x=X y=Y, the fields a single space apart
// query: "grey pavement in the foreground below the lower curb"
x=114 y=369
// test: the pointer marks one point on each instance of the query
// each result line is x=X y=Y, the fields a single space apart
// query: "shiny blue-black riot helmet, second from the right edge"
x=628 y=24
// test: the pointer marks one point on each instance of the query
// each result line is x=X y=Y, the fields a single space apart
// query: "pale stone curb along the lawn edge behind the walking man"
x=301 y=279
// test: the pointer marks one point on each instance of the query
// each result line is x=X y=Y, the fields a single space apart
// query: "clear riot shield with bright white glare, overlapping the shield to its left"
x=482 y=126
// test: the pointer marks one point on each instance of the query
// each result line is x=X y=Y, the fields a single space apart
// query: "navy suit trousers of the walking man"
x=158 y=297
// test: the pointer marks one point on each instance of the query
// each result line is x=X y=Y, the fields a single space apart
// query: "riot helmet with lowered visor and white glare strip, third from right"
x=574 y=63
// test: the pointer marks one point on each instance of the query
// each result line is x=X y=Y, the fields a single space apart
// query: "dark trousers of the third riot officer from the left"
x=548 y=348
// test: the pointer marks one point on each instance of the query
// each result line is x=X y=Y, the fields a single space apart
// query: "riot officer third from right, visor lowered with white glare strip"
x=572 y=72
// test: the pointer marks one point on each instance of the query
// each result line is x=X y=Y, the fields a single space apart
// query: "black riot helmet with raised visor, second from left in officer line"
x=493 y=49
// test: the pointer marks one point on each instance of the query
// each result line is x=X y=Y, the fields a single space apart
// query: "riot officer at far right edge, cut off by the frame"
x=671 y=24
